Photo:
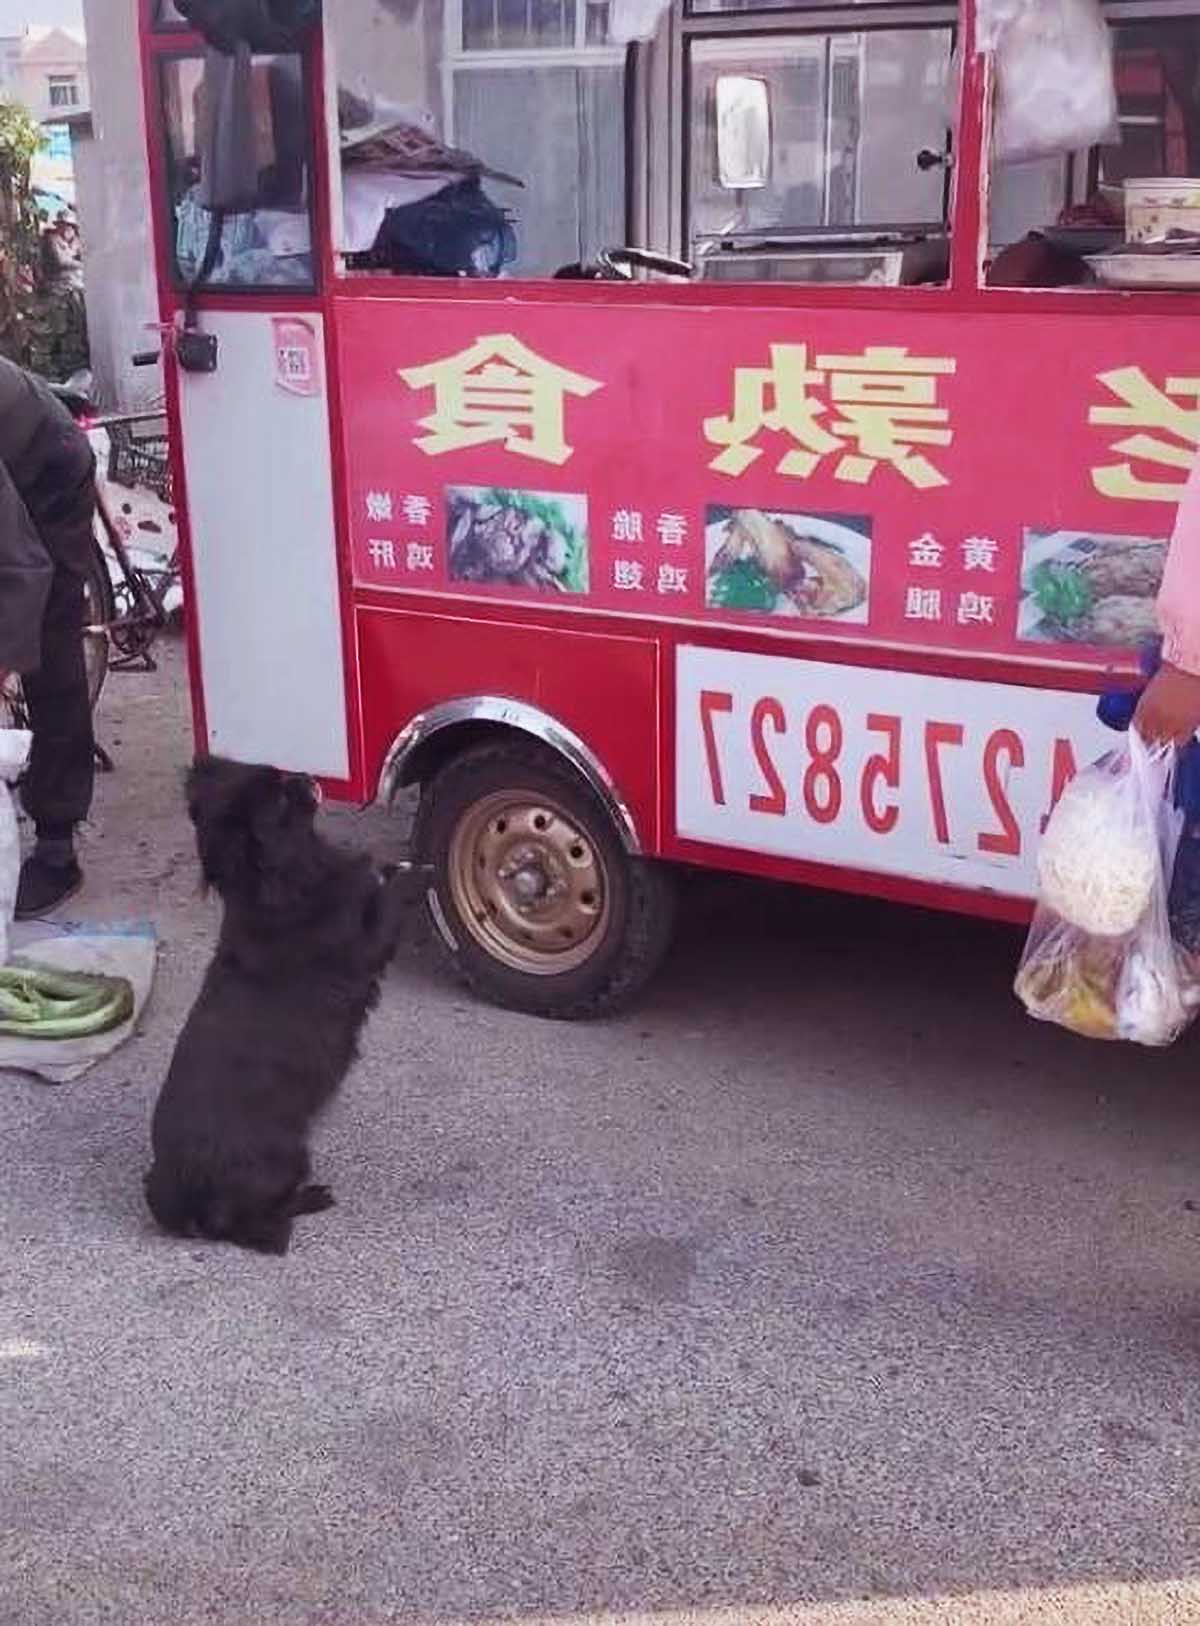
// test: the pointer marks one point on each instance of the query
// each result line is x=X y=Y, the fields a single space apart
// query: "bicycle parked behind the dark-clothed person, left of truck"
x=128 y=606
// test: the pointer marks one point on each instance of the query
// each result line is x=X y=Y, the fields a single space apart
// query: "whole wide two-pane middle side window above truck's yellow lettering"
x=505 y=137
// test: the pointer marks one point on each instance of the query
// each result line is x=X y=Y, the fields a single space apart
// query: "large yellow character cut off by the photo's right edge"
x=1167 y=437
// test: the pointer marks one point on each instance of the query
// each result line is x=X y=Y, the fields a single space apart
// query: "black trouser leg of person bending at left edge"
x=58 y=788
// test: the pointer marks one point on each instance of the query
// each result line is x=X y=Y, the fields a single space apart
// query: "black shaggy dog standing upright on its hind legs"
x=307 y=936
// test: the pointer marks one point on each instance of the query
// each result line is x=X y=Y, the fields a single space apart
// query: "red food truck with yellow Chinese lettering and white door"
x=667 y=437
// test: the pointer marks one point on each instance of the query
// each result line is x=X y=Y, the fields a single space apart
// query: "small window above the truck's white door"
x=238 y=172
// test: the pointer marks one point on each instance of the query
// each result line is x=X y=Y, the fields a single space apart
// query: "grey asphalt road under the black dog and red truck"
x=822 y=1289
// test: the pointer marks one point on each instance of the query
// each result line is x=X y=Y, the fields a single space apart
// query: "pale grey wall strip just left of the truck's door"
x=113 y=196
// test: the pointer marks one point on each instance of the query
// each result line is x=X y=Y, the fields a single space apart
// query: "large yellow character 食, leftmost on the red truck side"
x=498 y=391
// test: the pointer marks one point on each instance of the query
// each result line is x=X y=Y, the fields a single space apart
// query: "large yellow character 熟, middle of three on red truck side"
x=866 y=411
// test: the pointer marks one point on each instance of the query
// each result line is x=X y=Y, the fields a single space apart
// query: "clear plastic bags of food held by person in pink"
x=1100 y=957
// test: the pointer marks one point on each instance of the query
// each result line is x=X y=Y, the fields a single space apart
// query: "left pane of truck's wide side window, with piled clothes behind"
x=477 y=137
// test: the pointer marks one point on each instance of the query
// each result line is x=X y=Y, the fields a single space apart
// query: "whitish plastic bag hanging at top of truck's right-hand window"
x=1056 y=87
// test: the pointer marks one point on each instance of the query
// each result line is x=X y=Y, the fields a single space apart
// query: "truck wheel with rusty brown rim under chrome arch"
x=533 y=893
